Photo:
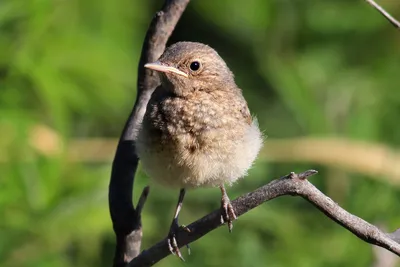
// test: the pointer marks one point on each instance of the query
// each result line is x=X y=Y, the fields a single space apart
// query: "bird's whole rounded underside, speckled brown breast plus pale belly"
x=194 y=142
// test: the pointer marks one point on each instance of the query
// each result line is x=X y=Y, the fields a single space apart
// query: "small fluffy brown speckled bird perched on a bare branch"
x=197 y=130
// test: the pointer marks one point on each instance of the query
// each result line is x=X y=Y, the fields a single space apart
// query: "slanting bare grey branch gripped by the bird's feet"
x=291 y=184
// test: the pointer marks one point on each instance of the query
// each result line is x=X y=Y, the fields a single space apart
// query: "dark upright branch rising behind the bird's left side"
x=126 y=219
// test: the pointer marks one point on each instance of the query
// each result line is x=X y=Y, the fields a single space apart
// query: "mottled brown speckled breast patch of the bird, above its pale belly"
x=196 y=122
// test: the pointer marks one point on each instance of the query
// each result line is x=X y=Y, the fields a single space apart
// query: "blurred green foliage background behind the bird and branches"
x=321 y=76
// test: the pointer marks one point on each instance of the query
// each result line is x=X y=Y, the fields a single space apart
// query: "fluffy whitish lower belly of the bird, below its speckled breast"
x=174 y=165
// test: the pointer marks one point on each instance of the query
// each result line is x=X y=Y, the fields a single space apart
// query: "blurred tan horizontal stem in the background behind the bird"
x=375 y=160
